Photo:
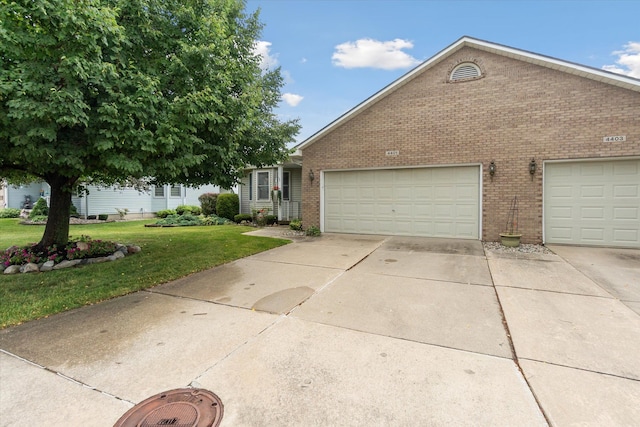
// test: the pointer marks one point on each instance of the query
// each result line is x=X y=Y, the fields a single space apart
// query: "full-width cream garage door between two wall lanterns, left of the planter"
x=432 y=202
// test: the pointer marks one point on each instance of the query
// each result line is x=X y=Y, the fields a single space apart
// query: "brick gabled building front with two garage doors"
x=443 y=151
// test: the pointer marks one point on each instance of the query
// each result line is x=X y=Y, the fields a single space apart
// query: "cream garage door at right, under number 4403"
x=593 y=203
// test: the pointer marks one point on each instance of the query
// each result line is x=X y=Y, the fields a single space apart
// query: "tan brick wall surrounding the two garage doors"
x=516 y=112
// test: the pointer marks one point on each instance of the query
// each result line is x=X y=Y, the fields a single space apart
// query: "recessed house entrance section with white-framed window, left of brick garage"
x=276 y=190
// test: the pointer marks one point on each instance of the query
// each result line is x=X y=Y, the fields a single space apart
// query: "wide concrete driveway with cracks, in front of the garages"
x=348 y=330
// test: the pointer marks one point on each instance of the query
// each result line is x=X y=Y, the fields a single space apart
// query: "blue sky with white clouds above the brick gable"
x=336 y=53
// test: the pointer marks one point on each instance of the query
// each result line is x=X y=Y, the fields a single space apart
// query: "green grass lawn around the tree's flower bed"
x=167 y=254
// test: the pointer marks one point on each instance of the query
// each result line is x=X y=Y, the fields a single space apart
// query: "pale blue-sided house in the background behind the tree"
x=107 y=199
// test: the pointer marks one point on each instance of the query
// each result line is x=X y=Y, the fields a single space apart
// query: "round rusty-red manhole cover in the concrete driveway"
x=184 y=407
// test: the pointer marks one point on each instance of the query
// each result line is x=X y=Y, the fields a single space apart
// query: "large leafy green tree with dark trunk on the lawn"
x=108 y=90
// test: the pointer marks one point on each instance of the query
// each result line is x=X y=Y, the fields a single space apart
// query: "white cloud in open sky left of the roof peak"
x=371 y=53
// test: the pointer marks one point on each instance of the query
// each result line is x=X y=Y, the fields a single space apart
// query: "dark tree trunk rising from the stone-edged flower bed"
x=57 y=228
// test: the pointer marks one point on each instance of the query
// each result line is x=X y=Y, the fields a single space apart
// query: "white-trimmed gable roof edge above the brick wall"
x=522 y=55
